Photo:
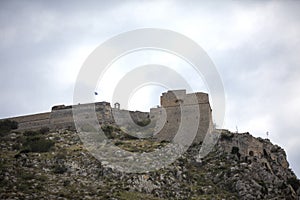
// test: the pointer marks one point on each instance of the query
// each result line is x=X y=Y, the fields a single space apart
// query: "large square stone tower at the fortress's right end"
x=171 y=103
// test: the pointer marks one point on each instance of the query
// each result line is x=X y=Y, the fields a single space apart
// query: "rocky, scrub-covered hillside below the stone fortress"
x=55 y=165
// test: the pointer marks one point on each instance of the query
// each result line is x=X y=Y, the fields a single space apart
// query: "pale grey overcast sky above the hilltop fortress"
x=255 y=46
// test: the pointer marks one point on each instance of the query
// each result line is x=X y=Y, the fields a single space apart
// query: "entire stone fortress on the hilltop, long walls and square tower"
x=173 y=103
